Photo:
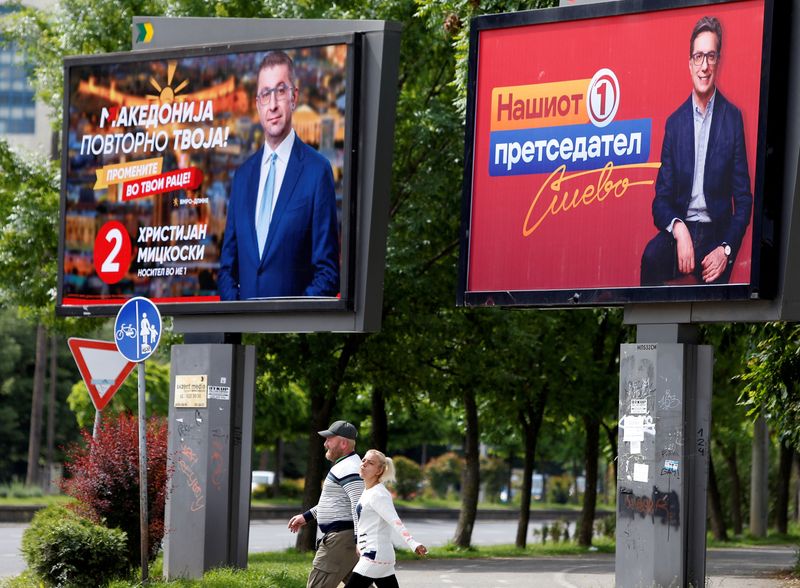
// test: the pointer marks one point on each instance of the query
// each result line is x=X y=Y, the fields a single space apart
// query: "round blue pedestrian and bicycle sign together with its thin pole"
x=137 y=332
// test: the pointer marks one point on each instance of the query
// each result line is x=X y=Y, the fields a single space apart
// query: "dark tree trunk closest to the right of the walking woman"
x=471 y=483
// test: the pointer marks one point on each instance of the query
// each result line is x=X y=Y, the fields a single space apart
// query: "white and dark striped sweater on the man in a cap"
x=341 y=490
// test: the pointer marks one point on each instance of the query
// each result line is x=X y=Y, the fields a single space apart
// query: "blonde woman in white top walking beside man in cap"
x=377 y=518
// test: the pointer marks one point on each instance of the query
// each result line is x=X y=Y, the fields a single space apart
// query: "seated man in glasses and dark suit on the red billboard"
x=703 y=201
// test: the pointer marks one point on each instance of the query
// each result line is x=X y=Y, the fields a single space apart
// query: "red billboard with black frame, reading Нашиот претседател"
x=585 y=180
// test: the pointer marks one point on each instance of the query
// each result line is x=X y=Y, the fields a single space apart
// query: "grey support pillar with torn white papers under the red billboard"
x=665 y=417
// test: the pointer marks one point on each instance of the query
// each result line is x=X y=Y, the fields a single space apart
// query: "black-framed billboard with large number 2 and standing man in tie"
x=170 y=190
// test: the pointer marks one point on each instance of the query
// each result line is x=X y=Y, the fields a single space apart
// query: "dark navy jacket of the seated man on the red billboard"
x=726 y=182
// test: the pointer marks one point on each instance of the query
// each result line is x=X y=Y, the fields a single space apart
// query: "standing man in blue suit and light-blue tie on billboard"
x=281 y=236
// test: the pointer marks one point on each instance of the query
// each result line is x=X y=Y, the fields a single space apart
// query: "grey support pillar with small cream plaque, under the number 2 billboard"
x=211 y=406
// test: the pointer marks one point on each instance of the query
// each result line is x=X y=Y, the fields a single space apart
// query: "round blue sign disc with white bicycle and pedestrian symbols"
x=137 y=329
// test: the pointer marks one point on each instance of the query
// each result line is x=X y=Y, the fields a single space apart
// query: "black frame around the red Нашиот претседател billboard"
x=769 y=164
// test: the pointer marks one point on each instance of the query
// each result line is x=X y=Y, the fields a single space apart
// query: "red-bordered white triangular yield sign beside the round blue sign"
x=102 y=366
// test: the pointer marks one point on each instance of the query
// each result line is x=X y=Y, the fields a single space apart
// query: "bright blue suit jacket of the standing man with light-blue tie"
x=301 y=255
